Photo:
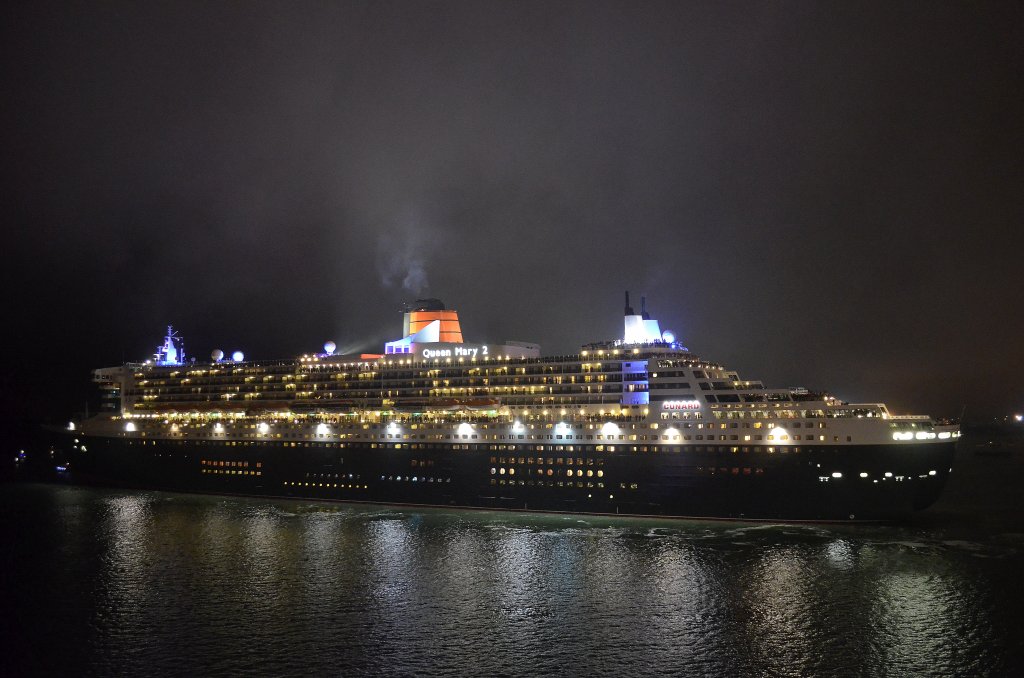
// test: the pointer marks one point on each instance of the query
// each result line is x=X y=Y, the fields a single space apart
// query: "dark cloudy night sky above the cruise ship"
x=827 y=195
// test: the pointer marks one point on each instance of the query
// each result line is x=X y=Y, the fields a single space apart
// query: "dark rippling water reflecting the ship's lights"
x=139 y=583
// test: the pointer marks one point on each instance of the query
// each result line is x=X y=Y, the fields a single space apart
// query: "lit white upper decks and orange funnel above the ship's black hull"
x=648 y=378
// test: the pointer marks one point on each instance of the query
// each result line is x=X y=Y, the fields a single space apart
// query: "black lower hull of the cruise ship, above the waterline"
x=699 y=482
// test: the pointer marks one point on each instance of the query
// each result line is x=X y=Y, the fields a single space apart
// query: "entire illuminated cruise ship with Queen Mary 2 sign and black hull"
x=637 y=427
